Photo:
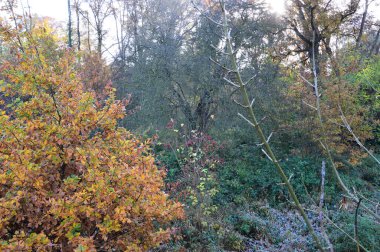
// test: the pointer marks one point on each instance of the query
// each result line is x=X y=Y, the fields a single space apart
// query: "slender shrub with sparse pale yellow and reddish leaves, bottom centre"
x=191 y=162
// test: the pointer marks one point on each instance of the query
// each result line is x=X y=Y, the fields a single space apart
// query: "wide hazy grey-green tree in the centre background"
x=164 y=57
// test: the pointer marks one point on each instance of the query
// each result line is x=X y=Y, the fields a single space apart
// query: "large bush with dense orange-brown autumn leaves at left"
x=70 y=178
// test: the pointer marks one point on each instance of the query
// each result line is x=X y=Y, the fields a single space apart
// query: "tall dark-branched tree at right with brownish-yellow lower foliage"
x=314 y=25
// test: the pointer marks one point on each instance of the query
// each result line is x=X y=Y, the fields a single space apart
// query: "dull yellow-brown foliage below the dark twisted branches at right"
x=340 y=98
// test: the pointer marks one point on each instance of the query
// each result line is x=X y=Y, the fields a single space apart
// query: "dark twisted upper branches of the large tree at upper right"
x=314 y=23
